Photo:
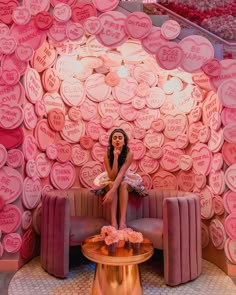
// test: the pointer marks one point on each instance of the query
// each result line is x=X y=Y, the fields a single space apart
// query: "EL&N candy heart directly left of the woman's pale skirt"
x=89 y=172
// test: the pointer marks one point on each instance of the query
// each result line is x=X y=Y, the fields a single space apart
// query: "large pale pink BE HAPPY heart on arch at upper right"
x=197 y=51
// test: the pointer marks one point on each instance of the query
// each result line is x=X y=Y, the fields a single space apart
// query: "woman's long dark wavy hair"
x=124 y=152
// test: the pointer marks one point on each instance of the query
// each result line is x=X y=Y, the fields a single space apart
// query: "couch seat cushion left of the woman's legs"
x=84 y=227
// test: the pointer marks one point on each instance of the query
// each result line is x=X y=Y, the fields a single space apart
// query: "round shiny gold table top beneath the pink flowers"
x=98 y=252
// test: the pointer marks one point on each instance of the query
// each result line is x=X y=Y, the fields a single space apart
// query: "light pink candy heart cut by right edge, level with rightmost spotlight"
x=226 y=93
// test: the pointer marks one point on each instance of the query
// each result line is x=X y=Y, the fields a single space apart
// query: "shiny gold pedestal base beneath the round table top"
x=110 y=279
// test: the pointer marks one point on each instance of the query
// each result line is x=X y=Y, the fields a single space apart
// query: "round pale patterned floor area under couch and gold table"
x=31 y=279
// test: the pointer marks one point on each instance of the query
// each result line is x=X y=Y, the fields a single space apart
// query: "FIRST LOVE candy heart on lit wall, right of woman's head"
x=175 y=125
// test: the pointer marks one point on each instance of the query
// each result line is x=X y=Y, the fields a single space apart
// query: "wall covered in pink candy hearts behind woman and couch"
x=70 y=73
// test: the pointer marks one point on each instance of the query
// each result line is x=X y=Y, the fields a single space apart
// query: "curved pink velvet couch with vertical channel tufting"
x=170 y=219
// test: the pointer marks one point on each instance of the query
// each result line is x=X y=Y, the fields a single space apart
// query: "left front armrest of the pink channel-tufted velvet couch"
x=55 y=227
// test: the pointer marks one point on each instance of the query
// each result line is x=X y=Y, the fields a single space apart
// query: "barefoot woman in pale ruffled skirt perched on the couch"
x=118 y=178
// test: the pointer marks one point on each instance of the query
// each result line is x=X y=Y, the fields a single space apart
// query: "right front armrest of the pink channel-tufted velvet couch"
x=182 y=239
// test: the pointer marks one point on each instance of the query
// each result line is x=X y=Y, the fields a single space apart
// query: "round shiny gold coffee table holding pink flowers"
x=116 y=272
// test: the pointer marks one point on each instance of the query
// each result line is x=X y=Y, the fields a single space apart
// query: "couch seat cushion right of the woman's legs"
x=151 y=228
